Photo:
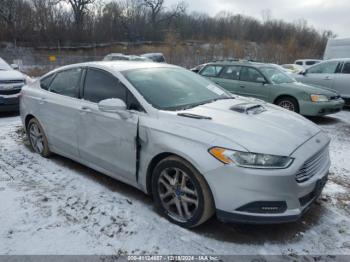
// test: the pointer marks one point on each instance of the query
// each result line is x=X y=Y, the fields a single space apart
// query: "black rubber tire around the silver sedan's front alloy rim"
x=204 y=208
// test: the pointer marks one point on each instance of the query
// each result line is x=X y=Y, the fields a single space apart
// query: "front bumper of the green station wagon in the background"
x=308 y=108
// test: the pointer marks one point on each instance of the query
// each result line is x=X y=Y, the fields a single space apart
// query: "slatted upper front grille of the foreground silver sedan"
x=312 y=166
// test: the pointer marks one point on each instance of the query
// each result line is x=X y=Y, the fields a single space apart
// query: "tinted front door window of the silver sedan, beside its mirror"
x=100 y=85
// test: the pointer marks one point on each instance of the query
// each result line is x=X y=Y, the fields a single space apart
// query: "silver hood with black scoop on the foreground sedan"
x=256 y=126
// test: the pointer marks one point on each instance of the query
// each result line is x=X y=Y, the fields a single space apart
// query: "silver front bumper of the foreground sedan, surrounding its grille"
x=236 y=190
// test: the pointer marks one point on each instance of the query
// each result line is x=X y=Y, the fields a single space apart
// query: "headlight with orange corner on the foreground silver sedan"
x=250 y=160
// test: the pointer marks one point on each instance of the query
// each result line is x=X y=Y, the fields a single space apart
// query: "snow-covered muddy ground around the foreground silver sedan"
x=56 y=206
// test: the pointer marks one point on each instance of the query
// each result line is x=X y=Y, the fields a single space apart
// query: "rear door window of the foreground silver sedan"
x=67 y=83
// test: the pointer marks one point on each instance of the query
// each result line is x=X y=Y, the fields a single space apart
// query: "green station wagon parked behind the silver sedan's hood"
x=269 y=83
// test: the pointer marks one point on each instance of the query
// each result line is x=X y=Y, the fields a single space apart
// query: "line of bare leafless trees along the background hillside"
x=68 y=22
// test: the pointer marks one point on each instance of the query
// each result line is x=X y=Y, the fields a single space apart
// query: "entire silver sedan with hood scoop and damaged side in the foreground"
x=175 y=135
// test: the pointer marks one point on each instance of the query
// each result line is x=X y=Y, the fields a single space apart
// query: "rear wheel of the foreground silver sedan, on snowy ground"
x=37 y=138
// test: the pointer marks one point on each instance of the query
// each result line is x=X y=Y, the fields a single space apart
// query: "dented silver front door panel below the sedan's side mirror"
x=108 y=141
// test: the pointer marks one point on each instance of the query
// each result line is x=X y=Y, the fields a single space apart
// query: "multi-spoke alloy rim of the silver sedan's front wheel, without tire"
x=178 y=194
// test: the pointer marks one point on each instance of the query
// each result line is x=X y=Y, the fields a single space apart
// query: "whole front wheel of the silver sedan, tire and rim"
x=181 y=193
